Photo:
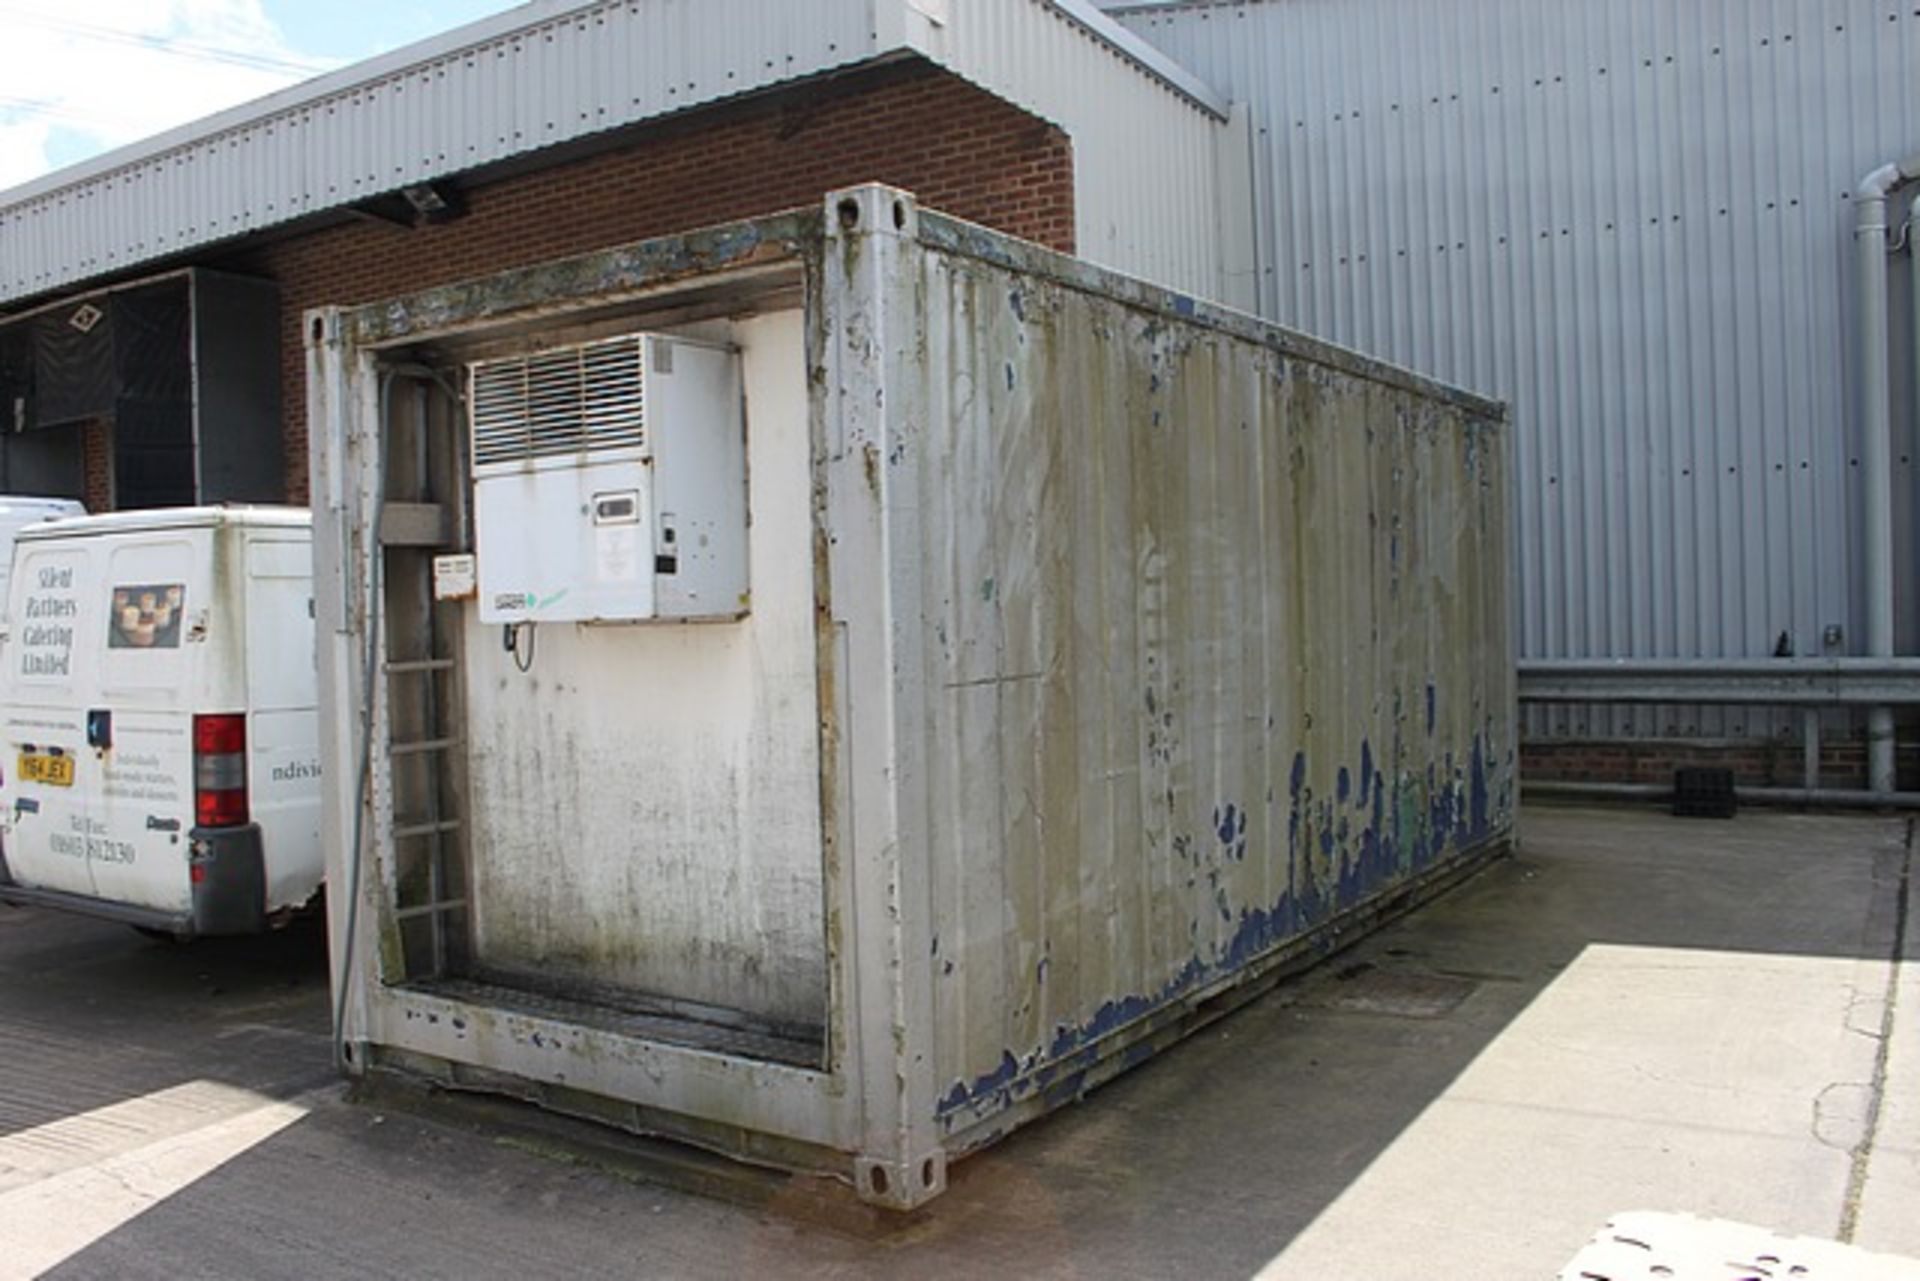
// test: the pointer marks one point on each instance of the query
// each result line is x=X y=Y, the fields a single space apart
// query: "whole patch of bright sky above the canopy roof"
x=89 y=76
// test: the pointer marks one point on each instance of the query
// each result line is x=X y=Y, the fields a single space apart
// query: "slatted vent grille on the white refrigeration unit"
x=565 y=402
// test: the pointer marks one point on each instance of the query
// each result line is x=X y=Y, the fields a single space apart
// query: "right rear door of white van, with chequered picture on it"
x=153 y=644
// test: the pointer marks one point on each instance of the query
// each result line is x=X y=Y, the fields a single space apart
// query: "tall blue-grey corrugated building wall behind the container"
x=1629 y=218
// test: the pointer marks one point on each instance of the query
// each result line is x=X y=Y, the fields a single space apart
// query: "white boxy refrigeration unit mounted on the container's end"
x=610 y=483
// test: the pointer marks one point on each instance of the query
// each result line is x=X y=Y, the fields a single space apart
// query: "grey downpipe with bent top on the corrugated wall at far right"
x=1877 y=443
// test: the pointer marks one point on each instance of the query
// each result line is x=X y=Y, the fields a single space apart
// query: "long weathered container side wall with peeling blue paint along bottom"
x=1214 y=642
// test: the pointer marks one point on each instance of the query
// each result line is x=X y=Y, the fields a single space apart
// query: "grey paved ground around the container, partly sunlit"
x=1635 y=1013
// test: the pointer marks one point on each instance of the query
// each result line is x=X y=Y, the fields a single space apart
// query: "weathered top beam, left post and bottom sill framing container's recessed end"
x=665 y=1088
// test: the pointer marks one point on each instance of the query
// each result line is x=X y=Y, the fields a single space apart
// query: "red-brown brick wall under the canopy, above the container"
x=955 y=147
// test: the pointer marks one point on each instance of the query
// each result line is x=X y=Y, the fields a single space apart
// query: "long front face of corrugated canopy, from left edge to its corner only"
x=383 y=126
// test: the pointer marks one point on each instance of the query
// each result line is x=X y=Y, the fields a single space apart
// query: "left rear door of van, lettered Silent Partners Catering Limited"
x=45 y=792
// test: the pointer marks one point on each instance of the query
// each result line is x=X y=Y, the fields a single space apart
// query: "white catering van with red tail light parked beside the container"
x=158 y=729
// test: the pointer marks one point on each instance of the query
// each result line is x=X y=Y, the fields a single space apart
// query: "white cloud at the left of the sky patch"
x=87 y=76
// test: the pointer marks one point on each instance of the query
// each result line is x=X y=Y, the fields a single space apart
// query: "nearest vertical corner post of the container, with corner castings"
x=875 y=326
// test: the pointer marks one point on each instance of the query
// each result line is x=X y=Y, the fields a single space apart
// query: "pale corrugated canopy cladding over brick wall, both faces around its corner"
x=514 y=85
